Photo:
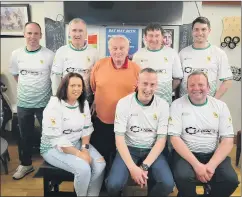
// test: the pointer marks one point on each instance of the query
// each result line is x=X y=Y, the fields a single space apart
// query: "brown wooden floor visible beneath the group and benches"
x=30 y=186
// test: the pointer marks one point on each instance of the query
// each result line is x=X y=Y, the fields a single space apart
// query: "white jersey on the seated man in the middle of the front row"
x=141 y=125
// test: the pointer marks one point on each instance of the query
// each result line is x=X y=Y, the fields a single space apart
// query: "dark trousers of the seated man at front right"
x=223 y=183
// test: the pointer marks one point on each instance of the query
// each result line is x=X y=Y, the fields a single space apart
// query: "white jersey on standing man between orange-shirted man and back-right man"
x=166 y=63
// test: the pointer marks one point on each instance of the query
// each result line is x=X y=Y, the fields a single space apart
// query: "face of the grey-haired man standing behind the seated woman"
x=78 y=33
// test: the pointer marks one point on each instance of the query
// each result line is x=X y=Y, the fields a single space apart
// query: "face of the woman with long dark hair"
x=74 y=89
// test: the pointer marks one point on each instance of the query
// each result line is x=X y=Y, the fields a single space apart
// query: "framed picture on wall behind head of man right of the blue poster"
x=168 y=38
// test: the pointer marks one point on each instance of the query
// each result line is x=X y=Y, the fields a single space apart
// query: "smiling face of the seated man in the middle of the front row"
x=147 y=84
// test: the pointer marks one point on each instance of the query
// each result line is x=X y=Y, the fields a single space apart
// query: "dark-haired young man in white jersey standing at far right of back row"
x=203 y=56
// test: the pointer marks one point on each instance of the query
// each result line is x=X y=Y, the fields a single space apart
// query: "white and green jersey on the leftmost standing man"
x=33 y=69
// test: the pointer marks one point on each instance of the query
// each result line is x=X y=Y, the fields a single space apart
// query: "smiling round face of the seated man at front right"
x=197 y=88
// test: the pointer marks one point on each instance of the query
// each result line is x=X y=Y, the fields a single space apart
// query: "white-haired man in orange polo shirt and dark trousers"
x=112 y=78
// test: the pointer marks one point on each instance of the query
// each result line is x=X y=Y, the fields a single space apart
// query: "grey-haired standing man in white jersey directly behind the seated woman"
x=76 y=57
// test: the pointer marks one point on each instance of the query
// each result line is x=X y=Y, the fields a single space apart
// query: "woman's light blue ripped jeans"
x=87 y=178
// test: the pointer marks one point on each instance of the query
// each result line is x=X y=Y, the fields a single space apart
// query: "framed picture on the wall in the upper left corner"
x=13 y=19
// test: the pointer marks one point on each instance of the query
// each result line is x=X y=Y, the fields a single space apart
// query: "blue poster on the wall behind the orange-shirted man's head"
x=131 y=34
